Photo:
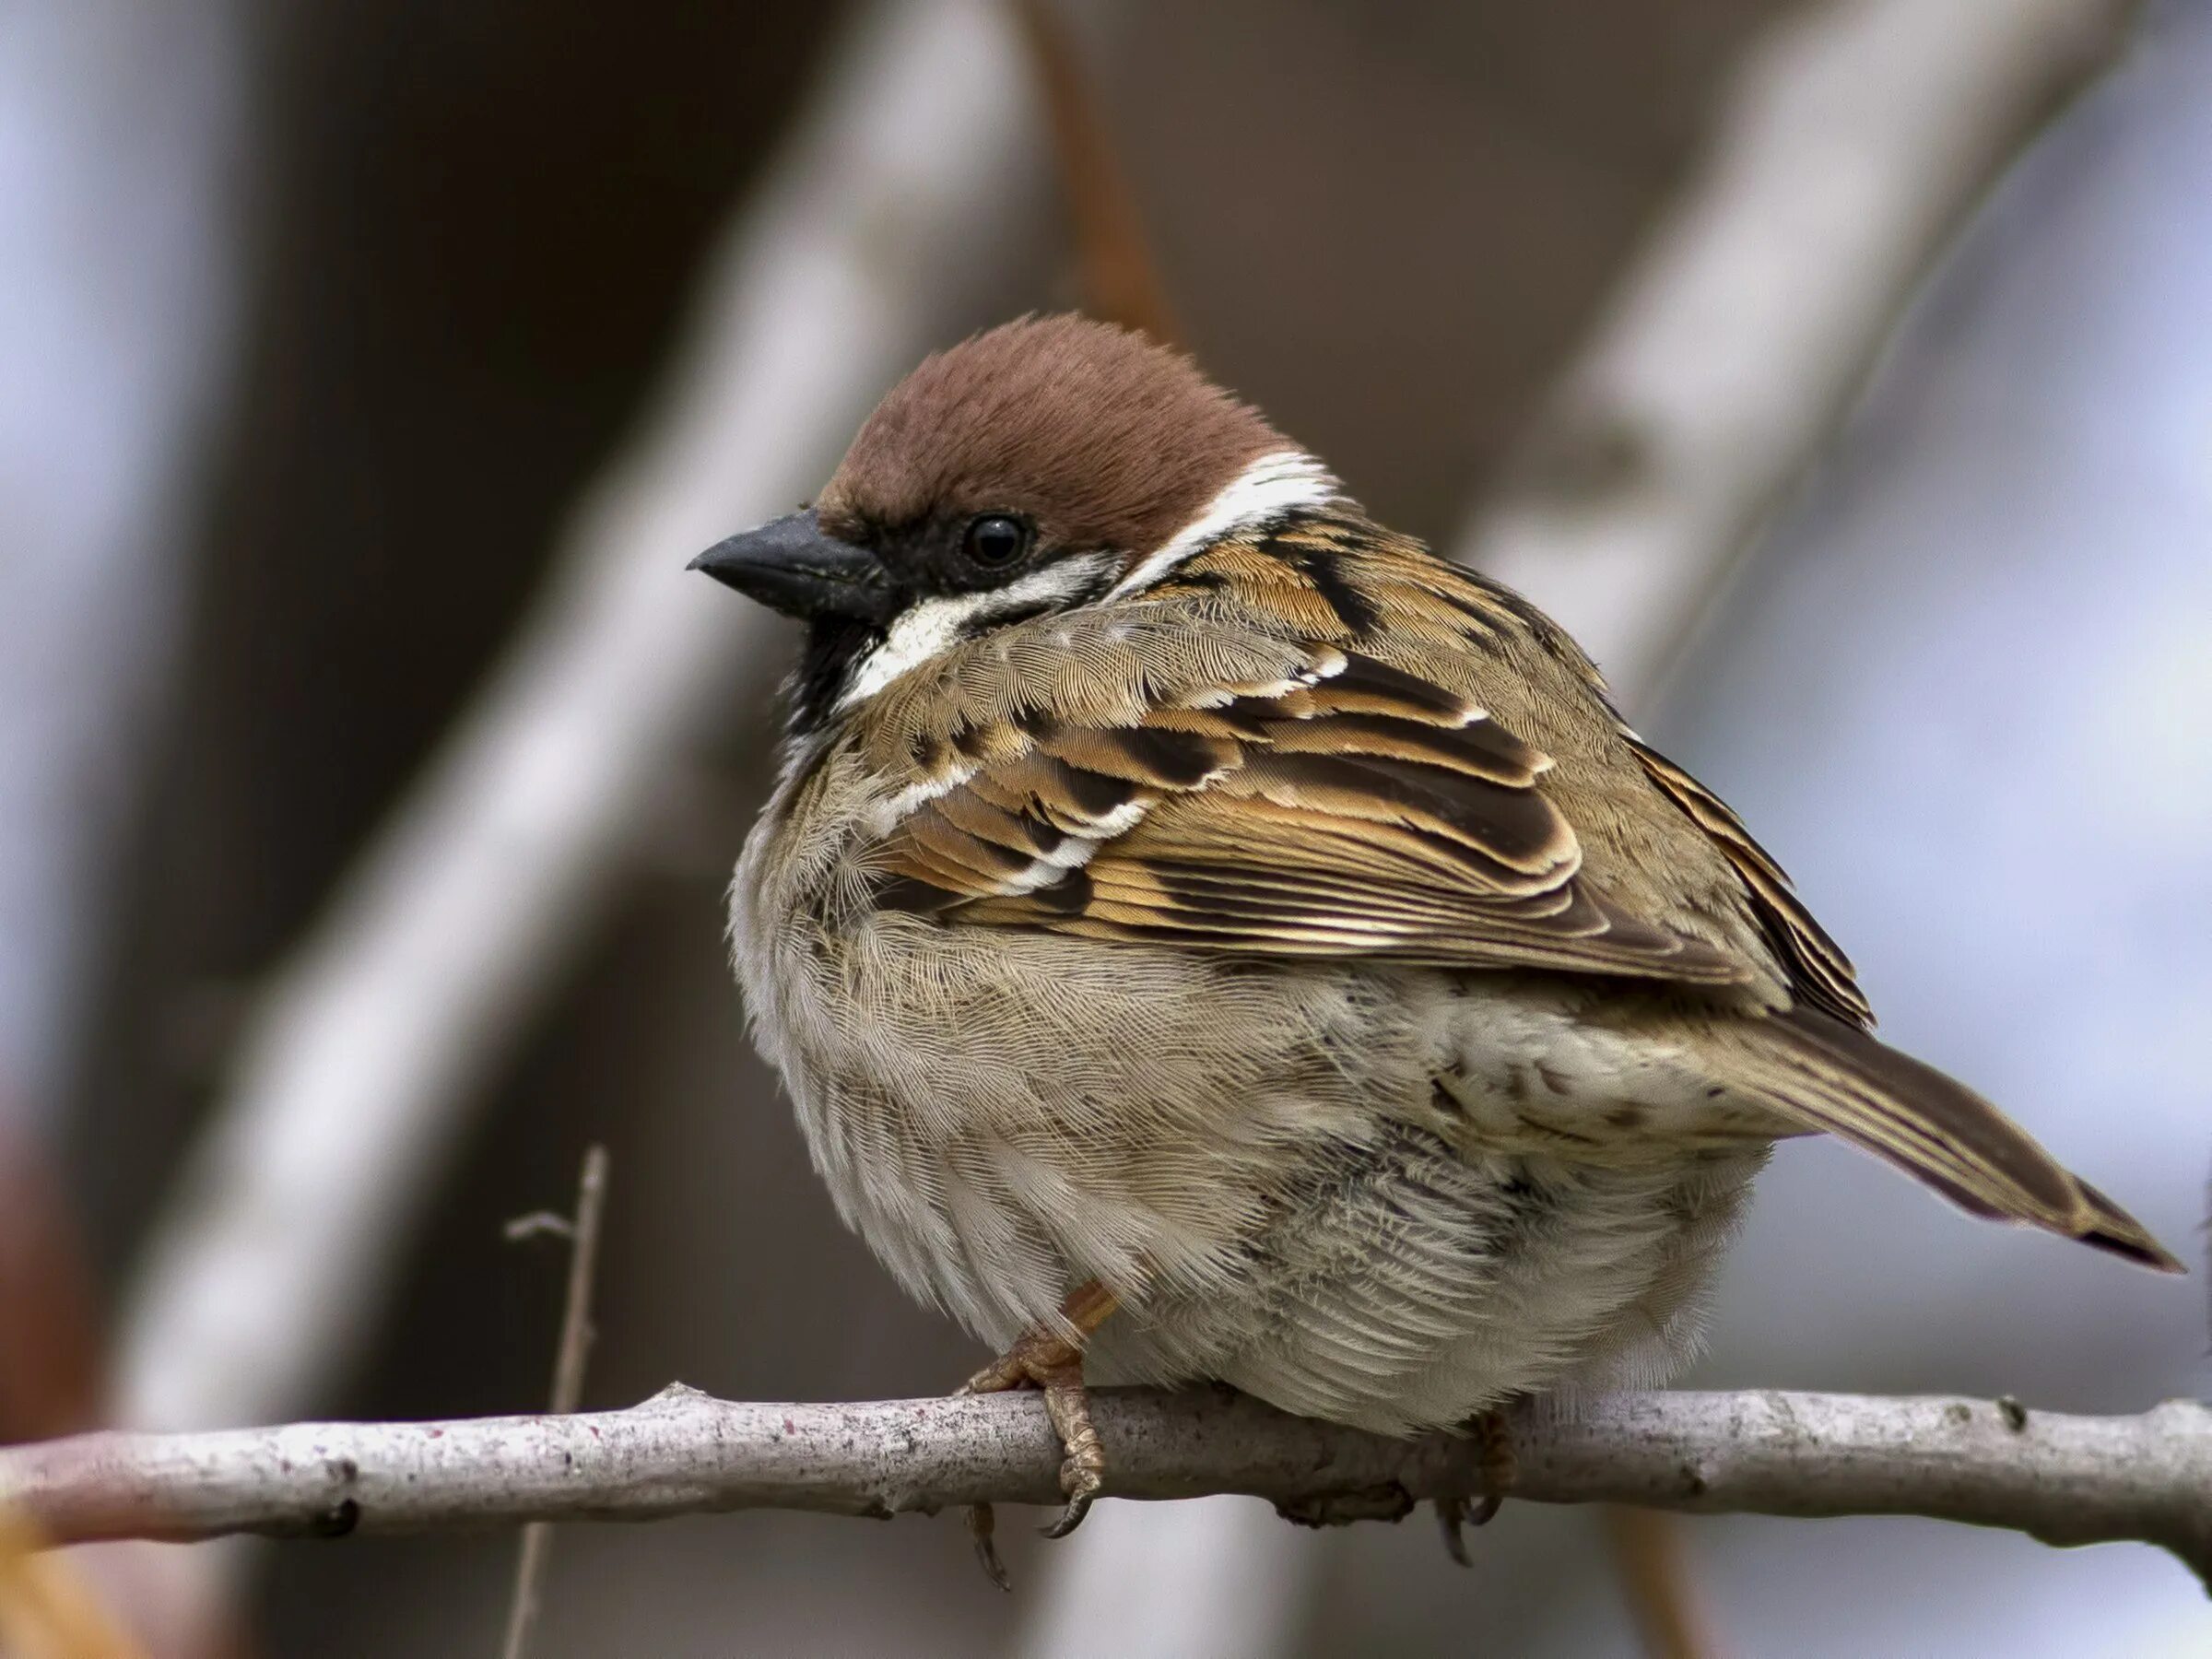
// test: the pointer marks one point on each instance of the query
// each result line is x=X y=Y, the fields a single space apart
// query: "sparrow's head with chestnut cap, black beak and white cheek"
x=1045 y=466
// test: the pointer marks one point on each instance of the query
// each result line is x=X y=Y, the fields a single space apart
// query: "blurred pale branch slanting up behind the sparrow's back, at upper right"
x=1850 y=149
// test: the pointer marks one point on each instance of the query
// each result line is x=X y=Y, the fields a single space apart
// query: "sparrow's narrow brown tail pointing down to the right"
x=1835 y=1078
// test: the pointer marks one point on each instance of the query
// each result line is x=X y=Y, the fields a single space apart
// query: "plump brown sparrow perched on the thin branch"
x=1209 y=937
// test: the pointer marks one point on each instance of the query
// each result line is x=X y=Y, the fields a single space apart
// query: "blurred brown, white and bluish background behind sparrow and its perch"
x=371 y=771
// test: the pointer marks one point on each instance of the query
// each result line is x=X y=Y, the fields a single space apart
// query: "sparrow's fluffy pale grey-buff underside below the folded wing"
x=1326 y=1185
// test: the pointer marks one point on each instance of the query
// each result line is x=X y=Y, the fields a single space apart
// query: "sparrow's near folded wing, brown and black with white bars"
x=1246 y=795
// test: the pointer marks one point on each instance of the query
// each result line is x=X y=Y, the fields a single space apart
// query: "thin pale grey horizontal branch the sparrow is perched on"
x=2060 y=1479
